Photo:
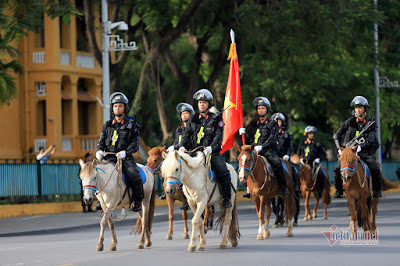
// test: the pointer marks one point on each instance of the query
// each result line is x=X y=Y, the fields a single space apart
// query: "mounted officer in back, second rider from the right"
x=314 y=152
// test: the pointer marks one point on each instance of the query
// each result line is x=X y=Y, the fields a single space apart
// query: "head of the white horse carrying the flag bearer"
x=171 y=170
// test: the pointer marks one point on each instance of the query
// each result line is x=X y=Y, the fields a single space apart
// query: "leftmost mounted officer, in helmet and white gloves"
x=121 y=136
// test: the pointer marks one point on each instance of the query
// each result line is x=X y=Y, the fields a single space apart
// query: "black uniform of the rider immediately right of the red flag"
x=266 y=135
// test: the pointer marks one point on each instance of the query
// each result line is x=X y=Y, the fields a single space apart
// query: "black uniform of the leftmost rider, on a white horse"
x=116 y=137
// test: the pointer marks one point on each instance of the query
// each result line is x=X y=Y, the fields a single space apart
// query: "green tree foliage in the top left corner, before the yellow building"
x=17 y=19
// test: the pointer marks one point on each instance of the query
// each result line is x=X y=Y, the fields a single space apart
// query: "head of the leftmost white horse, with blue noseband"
x=89 y=177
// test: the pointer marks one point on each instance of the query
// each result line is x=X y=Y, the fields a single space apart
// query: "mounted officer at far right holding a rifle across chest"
x=351 y=128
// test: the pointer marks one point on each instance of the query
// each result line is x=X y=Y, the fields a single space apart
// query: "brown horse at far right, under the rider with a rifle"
x=358 y=189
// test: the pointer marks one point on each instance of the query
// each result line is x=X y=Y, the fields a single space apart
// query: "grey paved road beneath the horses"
x=70 y=239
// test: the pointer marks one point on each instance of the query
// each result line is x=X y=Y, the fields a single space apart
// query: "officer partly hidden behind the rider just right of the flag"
x=285 y=147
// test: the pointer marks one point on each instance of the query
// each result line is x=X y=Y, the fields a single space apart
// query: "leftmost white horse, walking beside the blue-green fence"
x=102 y=181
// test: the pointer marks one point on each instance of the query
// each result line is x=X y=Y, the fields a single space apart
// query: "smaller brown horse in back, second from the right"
x=308 y=187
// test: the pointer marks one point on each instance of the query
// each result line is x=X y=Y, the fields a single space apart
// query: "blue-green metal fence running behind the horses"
x=62 y=179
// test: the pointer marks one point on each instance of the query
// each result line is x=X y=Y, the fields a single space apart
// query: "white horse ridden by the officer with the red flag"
x=200 y=192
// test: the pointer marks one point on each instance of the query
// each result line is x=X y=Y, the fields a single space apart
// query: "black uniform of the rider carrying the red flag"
x=208 y=131
